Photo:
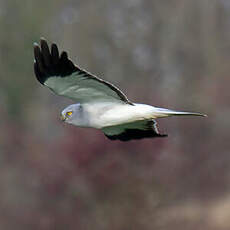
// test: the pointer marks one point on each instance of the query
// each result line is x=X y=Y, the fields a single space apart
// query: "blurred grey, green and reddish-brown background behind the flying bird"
x=170 y=53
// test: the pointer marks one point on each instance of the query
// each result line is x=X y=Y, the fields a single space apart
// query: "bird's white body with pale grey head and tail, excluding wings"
x=105 y=114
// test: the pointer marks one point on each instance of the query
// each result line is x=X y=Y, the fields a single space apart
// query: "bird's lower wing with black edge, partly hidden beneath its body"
x=134 y=130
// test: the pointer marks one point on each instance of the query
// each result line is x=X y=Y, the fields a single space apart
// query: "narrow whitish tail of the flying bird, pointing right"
x=161 y=112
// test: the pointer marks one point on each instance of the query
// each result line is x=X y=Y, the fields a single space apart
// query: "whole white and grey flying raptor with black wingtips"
x=100 y=104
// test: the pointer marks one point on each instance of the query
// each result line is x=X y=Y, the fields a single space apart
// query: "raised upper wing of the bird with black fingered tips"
x=64 y=78
